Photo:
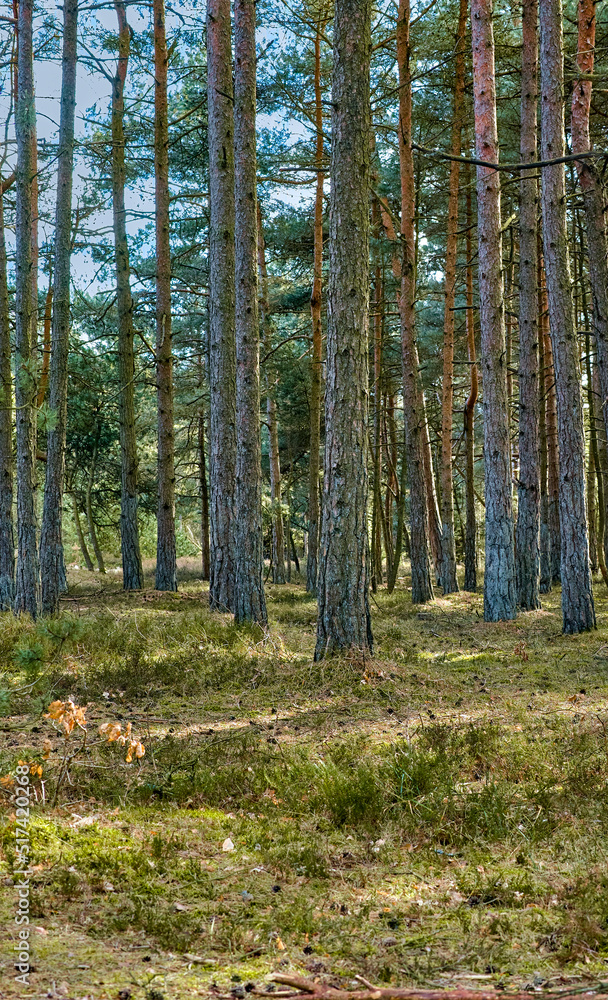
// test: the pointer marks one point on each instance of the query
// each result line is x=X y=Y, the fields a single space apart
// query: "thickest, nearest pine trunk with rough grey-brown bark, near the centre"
x=343 y=599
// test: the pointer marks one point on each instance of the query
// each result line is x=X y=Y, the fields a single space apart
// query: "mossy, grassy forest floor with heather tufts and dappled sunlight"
x=437 y=815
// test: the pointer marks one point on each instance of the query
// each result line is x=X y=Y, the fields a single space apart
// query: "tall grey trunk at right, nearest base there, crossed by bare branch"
x=577 y=595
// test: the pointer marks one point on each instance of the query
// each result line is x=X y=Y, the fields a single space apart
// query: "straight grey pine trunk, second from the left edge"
x=27 y=589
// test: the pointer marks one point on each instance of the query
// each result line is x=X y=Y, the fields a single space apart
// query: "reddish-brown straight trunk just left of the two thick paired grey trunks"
x=166 y=556
